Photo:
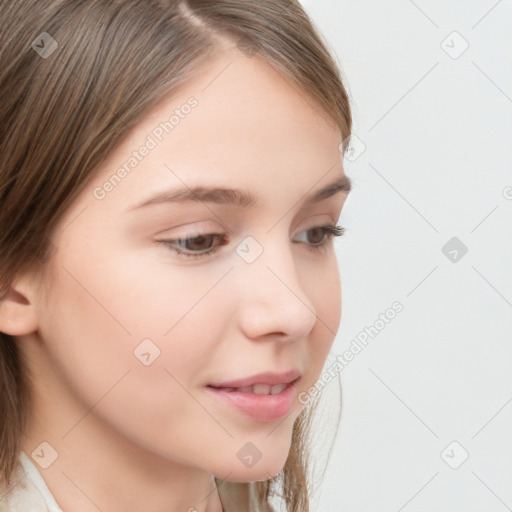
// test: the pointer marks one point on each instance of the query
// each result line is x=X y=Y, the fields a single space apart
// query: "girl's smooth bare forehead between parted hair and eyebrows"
x=238 y=121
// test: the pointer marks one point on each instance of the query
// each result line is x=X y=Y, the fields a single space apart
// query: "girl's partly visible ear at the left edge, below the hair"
x=18 y=314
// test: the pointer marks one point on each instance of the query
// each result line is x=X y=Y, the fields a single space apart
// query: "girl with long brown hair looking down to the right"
x=171 y=175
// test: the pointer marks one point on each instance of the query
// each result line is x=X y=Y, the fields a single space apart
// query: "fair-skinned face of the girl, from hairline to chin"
x=148 y=305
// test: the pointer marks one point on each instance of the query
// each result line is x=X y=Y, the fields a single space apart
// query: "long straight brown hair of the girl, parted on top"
x=64 y=112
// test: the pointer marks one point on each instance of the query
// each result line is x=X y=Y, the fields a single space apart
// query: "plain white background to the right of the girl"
x=436 y=165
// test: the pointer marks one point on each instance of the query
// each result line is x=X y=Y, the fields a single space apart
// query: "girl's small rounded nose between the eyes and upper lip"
x=273 y=302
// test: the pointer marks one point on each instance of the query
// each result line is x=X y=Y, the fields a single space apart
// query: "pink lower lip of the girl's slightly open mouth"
x=259 y=407
